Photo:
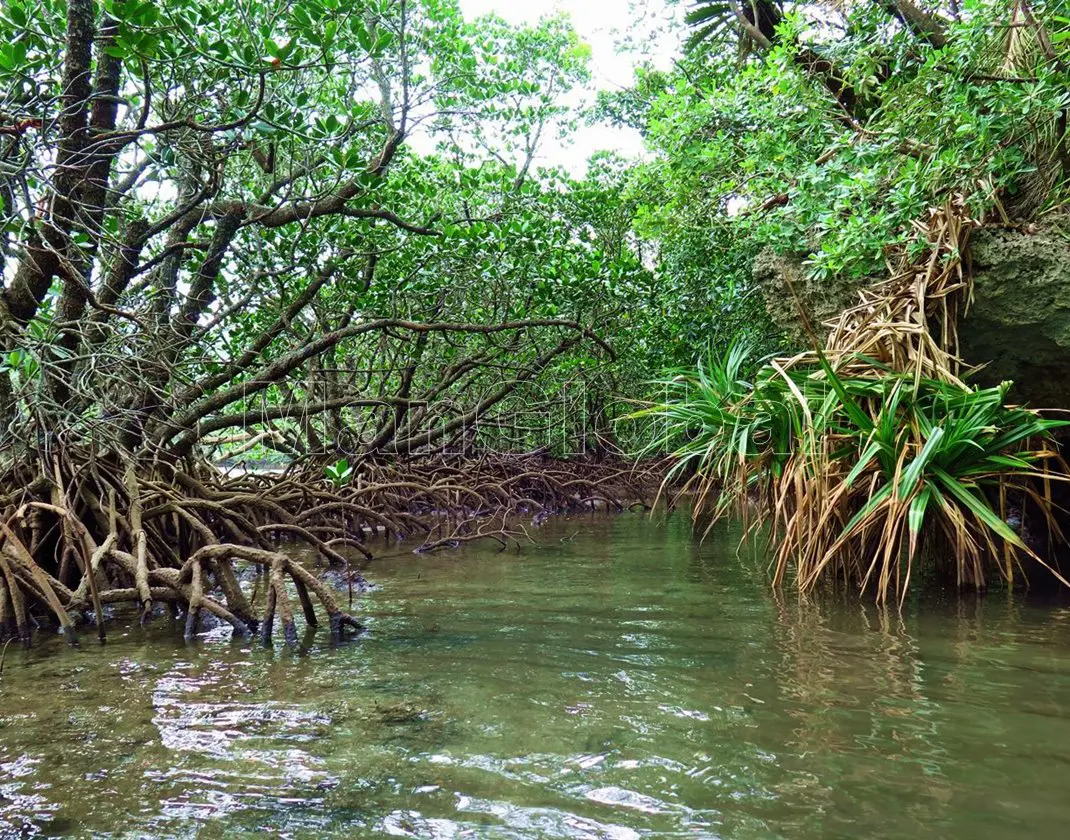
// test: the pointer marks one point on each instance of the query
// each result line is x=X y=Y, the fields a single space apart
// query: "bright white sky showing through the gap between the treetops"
x=602 y=24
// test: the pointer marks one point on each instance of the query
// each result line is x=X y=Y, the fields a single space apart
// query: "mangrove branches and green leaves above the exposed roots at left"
x=326 y=227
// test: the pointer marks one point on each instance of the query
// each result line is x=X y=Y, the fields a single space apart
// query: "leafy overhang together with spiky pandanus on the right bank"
x=866 y=138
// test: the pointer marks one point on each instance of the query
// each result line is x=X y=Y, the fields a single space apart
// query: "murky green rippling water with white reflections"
x=618 y=682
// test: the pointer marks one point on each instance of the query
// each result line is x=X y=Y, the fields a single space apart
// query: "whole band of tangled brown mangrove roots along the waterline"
x=87 y=533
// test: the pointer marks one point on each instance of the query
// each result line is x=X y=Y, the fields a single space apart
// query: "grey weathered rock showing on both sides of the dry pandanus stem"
x=1019 y=326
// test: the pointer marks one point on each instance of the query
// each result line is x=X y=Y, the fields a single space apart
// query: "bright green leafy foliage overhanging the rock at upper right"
x=829 y=130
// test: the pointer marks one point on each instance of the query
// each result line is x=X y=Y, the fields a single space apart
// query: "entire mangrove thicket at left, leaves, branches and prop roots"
x=187 y=264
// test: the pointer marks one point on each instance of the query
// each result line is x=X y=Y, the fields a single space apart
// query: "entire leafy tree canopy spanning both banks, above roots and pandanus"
x=330 y=232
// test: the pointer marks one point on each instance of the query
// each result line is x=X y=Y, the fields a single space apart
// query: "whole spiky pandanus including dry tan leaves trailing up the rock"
x=873 y=453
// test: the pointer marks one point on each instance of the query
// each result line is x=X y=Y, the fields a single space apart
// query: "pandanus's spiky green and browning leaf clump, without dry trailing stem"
x=858 y=477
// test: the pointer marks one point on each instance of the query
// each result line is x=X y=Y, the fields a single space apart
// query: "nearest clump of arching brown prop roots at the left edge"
x=147 y=545
